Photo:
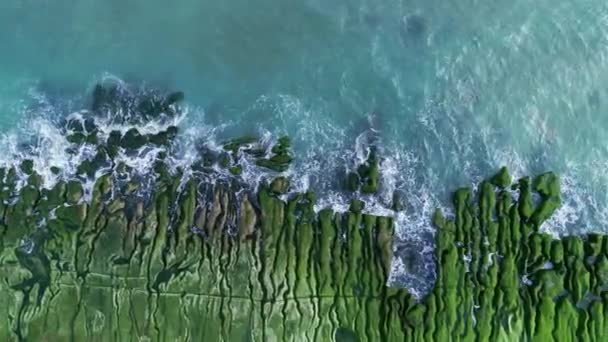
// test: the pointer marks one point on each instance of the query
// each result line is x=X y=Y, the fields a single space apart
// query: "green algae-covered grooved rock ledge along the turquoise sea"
x=110 y=254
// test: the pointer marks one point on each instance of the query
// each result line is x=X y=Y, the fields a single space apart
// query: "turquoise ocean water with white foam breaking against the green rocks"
x=451 y=90
